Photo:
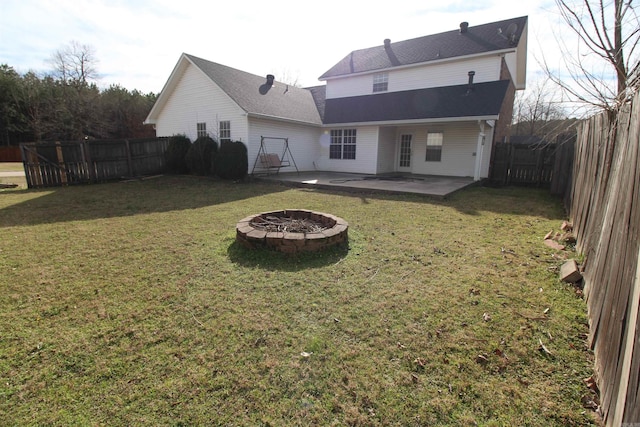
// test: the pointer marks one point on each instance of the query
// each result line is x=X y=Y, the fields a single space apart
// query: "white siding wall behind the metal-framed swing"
x=304 y=143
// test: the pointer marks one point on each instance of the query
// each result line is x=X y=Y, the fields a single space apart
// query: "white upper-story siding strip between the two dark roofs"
x=424 y=76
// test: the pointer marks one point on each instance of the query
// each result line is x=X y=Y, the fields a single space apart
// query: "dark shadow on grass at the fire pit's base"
x=271 y=260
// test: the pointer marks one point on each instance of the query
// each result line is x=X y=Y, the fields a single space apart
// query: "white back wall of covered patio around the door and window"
x=458 y=149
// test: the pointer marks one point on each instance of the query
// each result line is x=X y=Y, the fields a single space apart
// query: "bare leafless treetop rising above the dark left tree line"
x=75 y=63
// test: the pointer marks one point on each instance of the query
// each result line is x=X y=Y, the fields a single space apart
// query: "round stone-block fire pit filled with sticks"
x=292 y=231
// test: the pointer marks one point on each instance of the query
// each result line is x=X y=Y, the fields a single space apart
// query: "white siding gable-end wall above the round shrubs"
x=196 y=99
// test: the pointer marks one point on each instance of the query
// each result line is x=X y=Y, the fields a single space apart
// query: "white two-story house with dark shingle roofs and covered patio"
x=433 y=105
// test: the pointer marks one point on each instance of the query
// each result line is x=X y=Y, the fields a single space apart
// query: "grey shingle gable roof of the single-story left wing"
x=249 y=91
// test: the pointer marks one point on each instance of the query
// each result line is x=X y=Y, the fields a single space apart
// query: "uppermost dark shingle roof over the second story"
x=496 y=36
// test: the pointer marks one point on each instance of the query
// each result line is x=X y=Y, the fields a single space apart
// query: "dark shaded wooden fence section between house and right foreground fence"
x=547 y=165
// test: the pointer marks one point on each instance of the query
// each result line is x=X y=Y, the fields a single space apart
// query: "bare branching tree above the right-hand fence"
x=610 y=32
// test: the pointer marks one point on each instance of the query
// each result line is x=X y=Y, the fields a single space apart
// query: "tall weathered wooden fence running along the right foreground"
x=605 y=210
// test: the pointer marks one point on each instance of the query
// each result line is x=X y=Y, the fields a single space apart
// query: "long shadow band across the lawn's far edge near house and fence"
x=177 y=193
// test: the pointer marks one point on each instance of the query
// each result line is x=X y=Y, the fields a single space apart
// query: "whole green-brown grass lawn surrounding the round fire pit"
x=131 y=303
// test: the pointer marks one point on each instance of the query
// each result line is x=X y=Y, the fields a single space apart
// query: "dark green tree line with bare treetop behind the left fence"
x=66 y=104
